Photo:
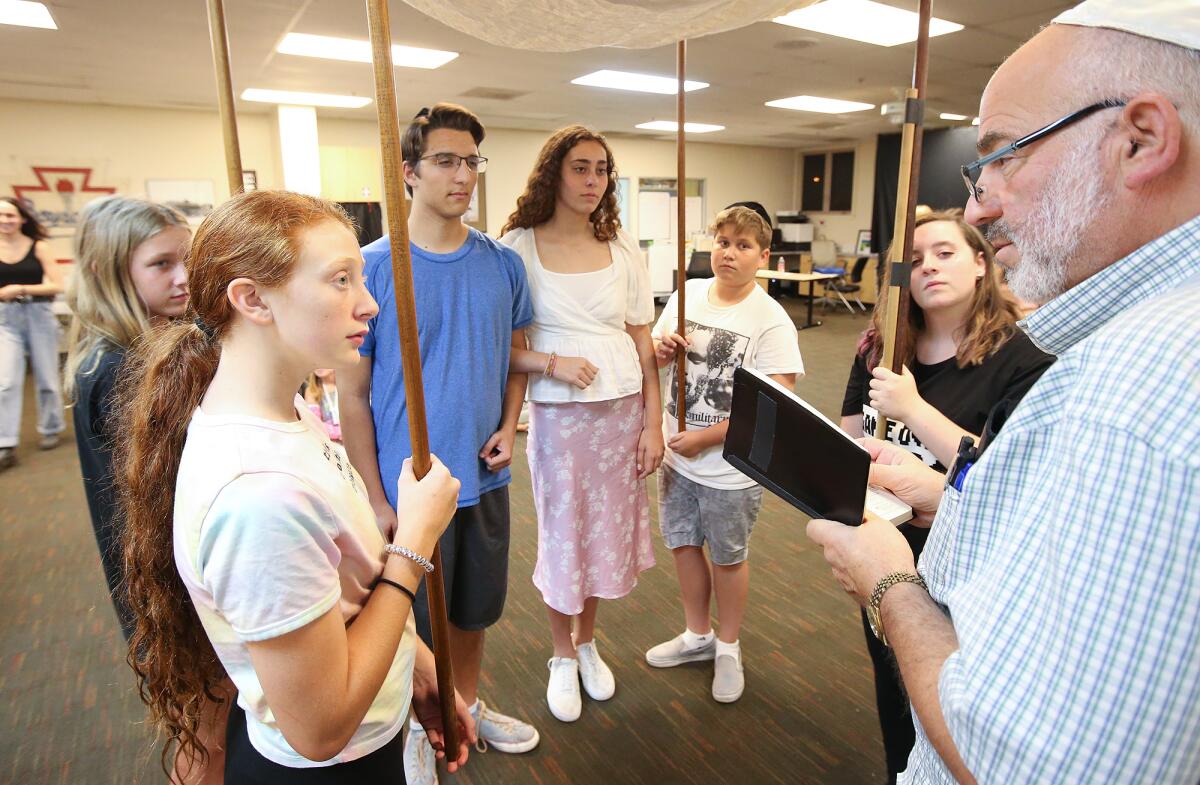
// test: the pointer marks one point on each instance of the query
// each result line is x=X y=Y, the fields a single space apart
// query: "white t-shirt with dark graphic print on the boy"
x=758 y=334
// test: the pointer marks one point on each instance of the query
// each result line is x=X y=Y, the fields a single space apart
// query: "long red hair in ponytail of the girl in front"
x=165 y=377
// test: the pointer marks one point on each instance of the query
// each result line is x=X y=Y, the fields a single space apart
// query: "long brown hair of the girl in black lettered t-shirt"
x=991 y=325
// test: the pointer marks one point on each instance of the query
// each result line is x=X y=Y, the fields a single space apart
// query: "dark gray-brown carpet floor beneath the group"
x=71 y=716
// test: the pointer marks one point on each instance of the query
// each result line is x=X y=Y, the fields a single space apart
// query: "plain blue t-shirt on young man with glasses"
x=469 y=303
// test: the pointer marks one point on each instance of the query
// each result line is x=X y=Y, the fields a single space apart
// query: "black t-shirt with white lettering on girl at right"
x=964 y=396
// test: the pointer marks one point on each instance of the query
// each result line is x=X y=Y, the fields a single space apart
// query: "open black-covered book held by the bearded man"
x=795 y=452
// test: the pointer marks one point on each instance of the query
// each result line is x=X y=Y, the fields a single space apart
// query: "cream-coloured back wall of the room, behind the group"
x=128 y=146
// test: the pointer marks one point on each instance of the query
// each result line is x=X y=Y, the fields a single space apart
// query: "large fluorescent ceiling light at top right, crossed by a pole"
x=865 y=21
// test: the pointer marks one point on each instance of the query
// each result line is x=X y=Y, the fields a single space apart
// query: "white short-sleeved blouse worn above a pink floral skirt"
x=585 y=315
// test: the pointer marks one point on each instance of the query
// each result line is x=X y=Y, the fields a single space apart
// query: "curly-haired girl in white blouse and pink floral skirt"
x=595 y=405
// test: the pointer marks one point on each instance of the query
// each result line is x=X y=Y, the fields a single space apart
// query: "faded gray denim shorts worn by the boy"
x=694 y=514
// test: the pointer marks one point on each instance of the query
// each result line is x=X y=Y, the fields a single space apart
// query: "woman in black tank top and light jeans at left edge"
x=29 y=281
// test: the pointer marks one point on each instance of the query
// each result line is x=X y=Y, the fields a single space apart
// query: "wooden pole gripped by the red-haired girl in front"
x=410 y=350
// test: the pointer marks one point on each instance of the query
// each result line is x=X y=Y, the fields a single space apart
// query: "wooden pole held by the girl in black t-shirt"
x=896 y=317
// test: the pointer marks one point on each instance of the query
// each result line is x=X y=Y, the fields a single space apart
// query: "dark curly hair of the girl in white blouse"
x=537 y=205
